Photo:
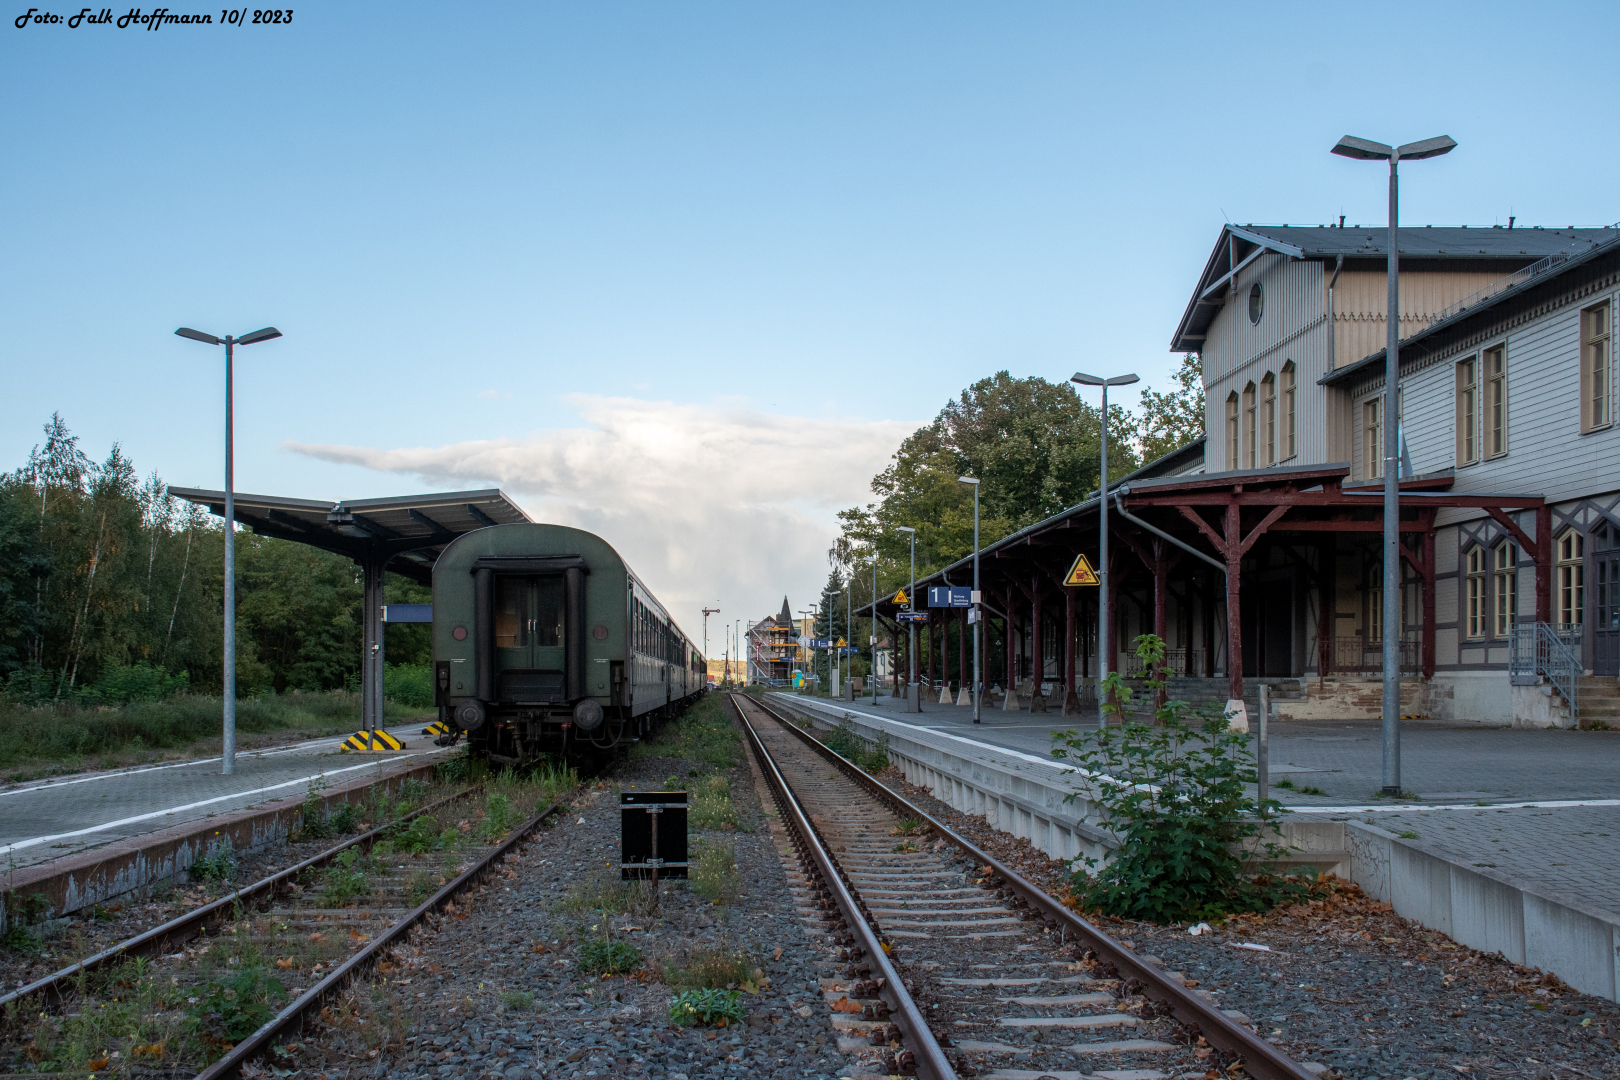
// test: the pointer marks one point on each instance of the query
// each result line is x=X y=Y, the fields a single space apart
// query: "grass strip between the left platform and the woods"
x=69 y=738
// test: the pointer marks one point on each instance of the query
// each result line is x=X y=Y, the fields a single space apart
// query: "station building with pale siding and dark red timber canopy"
x=1256 y=551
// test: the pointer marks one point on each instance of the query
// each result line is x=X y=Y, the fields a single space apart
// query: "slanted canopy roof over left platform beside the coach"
x=407 y=534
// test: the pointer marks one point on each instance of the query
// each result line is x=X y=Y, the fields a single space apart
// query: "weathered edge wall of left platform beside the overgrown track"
x=80 y=882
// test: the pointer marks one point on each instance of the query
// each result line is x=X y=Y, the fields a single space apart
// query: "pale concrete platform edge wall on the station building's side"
x=1478 y=908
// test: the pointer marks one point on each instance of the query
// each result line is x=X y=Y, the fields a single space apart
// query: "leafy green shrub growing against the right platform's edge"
x=1174 y=797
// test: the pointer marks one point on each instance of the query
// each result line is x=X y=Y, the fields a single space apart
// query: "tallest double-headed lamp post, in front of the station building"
x=1370 y=151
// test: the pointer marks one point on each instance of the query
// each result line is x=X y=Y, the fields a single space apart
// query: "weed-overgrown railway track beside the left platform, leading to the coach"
x=234 y=980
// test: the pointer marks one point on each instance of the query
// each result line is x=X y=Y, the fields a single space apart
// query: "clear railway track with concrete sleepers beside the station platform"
x=955 y=964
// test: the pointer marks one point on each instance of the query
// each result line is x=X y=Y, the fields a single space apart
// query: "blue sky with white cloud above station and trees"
x=527 y=226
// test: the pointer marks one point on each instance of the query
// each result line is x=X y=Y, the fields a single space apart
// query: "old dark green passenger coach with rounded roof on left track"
x=547 y=644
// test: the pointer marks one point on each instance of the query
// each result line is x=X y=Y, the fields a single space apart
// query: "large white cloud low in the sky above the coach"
x=712 y=504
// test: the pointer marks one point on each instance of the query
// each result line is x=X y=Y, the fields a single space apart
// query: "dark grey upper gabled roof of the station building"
x=1240 y=245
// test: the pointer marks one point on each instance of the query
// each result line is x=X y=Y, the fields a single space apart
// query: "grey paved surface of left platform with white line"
x=46 y=820
